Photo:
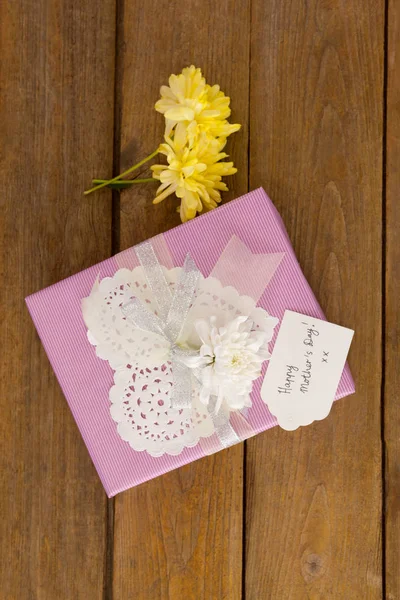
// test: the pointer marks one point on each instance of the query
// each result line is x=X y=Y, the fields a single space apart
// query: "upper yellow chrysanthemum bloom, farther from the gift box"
x=189 y=98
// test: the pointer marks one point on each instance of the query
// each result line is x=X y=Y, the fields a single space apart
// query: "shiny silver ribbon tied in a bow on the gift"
x=168 y=323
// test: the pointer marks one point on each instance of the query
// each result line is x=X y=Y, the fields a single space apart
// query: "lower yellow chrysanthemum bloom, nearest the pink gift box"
x=193 y=173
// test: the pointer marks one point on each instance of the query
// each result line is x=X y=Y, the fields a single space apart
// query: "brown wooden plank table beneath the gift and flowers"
x=316 y=86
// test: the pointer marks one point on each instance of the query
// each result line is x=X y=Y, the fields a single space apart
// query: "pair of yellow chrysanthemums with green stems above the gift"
x=196 y=128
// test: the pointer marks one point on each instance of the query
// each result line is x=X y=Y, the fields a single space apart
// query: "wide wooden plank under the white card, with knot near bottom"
x=313 y=509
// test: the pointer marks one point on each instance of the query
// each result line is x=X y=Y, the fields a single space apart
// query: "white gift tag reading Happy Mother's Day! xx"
x=305 y=369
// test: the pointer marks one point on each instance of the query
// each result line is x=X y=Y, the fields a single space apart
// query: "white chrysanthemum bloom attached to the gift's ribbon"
x=229 y=360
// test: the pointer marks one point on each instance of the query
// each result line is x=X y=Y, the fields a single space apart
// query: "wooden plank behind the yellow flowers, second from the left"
x=179 y=536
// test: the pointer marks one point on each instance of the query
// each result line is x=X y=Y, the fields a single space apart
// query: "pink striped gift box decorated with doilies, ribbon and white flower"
x=135 y=341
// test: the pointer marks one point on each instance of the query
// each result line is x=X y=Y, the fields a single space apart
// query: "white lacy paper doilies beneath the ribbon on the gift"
x=143 y=375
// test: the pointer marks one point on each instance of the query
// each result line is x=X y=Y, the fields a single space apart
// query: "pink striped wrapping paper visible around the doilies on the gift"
x=86 y=380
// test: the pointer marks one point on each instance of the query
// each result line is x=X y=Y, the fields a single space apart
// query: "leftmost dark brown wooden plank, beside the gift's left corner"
x=57 y=123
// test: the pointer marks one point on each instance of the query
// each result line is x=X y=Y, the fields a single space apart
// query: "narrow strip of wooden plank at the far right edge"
x=392 y=312
